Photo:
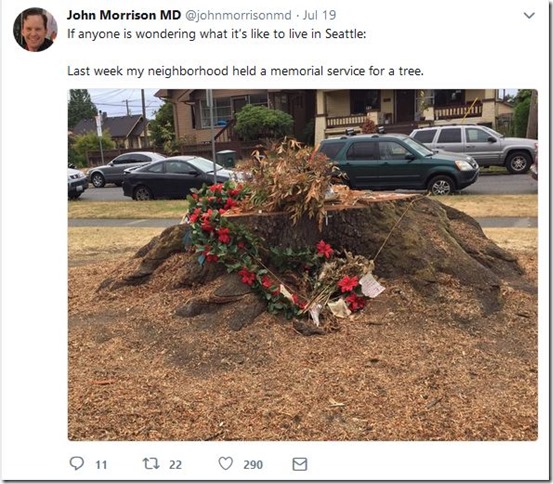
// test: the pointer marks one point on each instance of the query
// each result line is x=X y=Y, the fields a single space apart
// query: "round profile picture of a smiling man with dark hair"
x=35 y=29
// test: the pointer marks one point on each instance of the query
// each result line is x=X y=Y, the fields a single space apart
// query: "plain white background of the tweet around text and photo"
x=469 y=45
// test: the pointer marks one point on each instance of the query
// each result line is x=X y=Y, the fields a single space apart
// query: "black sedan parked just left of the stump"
x=171 y=178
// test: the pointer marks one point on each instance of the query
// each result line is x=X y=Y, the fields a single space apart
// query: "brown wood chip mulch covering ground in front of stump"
x=402 y=369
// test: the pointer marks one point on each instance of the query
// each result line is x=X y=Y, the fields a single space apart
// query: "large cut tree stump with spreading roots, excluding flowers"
x=441 y=252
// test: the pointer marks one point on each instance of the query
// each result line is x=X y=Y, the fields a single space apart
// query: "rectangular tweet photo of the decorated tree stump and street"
x=302 y=265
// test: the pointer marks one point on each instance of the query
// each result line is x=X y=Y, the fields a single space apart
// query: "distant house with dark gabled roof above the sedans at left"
x=128 y=132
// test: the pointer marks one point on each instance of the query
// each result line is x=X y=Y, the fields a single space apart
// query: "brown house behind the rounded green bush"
x=192 y=114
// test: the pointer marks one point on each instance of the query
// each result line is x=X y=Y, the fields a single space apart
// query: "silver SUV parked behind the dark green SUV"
x=486 y=146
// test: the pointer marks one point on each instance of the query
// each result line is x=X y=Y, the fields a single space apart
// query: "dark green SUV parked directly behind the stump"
x=393 y=161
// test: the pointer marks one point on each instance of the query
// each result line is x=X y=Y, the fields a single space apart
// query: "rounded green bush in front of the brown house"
x=260 y=122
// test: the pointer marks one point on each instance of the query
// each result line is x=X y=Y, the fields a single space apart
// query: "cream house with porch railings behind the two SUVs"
x=401 y=110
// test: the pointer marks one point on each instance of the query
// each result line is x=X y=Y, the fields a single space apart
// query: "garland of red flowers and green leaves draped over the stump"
x=325 y=280
